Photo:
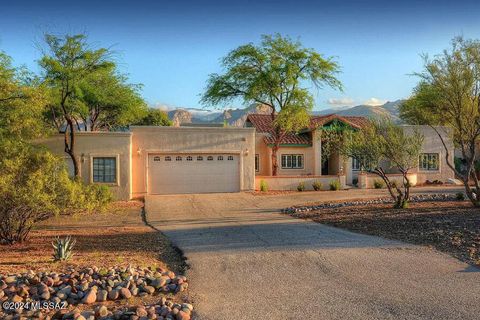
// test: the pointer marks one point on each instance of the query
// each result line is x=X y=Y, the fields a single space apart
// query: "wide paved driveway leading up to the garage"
x=248 y=262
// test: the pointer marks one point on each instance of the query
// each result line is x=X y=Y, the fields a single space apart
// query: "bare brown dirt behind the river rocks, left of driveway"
x=118 y=237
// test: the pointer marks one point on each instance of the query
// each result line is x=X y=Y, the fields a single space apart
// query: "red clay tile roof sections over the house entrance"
x=264 y=123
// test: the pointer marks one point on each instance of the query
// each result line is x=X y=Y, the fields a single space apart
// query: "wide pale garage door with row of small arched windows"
x=193 y=173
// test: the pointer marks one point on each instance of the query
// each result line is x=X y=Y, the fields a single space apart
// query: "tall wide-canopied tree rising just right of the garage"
x=273 y=73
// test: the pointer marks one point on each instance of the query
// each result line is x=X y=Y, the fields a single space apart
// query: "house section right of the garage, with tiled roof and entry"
x=300 y=154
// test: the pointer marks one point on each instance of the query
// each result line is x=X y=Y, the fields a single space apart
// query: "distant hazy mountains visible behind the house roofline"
x=236 y=117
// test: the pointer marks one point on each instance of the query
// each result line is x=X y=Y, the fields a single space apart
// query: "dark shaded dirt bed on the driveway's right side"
x=451 y=227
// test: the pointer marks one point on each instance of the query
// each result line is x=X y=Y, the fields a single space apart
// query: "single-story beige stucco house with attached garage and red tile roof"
x=174 y=160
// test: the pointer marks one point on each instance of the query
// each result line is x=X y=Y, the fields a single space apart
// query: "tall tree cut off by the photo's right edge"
x=448 y=95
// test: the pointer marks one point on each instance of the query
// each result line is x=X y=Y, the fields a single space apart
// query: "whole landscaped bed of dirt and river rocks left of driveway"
x=121 y=269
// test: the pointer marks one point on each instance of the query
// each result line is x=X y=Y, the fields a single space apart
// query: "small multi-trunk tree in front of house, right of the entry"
x=382 y=145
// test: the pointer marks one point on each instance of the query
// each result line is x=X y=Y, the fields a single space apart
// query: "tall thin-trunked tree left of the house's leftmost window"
x=67 y=62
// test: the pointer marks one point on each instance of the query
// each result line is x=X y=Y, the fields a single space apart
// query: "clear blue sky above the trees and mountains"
x=172 y=46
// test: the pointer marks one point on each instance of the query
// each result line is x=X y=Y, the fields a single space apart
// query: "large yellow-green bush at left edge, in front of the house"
x=34 y=186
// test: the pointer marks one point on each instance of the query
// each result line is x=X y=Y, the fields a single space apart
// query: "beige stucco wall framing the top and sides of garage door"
x=147 y=140
